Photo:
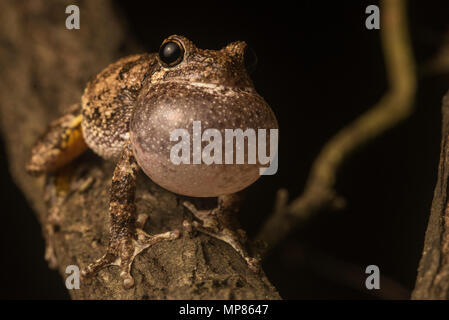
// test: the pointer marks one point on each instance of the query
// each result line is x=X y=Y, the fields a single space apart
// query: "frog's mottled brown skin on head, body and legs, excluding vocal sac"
x=110 y=103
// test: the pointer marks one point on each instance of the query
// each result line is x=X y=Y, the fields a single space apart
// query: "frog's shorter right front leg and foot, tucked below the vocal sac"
x=221 y=223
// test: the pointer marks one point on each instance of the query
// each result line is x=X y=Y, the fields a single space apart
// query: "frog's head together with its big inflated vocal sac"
x=188 y=85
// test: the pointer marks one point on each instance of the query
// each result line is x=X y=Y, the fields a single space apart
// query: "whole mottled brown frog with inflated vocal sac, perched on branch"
x=127 y=113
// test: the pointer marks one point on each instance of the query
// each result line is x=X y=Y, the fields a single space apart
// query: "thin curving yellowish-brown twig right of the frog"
x=394 y=106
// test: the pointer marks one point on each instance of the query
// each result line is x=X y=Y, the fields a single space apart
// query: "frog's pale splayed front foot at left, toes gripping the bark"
x=122 y=251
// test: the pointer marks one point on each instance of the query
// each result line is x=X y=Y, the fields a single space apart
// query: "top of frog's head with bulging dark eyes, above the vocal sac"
x=180 y=60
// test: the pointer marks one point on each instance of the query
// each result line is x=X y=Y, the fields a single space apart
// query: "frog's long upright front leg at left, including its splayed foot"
x=126 y=241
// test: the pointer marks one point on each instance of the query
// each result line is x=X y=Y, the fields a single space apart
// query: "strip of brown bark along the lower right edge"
x=433 y=273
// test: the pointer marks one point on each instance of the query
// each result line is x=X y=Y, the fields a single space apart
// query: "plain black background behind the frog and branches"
x=319 y=68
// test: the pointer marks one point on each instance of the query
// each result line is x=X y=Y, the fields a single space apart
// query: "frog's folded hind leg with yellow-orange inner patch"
x=60 y=144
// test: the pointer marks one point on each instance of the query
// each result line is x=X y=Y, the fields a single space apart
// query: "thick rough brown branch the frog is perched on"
x=43 y=69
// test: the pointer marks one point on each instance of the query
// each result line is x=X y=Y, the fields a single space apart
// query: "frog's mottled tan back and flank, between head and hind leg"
x=108 y=103
